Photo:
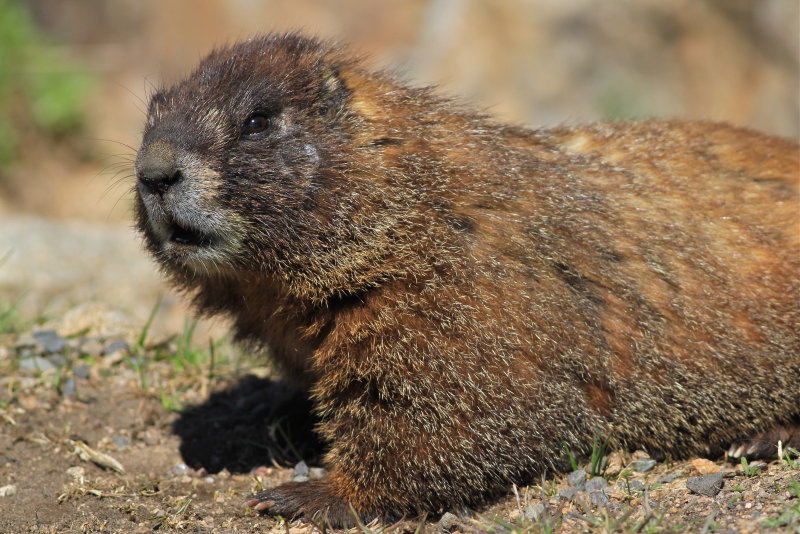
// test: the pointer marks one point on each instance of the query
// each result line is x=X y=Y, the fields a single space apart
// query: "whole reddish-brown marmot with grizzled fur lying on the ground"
x=461 y=297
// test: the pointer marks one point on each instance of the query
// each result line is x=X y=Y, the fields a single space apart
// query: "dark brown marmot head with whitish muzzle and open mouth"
x=252 y=164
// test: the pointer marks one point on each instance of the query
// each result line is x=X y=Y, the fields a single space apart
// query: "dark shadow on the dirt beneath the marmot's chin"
x=255 y=422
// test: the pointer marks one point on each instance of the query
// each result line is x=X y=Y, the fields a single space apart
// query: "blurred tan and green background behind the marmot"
x=75 y=75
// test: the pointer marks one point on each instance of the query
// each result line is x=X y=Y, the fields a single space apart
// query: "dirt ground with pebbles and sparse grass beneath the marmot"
x=102 y=433
